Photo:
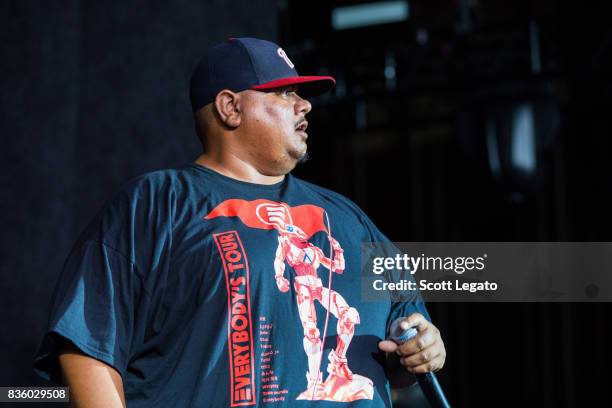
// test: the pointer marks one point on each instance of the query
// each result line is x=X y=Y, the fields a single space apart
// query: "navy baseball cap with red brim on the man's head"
x=249 y=63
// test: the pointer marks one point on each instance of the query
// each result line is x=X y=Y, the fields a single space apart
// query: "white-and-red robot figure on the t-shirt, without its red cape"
x=305 y=258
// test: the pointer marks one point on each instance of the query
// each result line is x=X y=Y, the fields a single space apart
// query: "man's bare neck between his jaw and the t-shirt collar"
x=234 y=167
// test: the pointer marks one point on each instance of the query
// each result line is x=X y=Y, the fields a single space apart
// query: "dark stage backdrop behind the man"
x=95 y=93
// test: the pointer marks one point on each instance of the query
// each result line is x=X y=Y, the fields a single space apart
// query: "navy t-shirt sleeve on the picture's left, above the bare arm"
x=95 y=307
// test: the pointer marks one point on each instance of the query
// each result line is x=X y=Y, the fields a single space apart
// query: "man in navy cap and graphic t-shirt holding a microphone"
x=178 y=294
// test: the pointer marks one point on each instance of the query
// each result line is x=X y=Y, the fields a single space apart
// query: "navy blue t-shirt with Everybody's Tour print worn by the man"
x=202 y=290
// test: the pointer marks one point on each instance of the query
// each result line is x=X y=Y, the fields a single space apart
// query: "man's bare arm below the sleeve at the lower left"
x=92 y=383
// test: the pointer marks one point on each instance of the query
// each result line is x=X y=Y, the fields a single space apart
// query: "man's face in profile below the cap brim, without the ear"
x=273 y=129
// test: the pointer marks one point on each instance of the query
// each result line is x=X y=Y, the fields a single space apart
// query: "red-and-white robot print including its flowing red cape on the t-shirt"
x=295 y=226
